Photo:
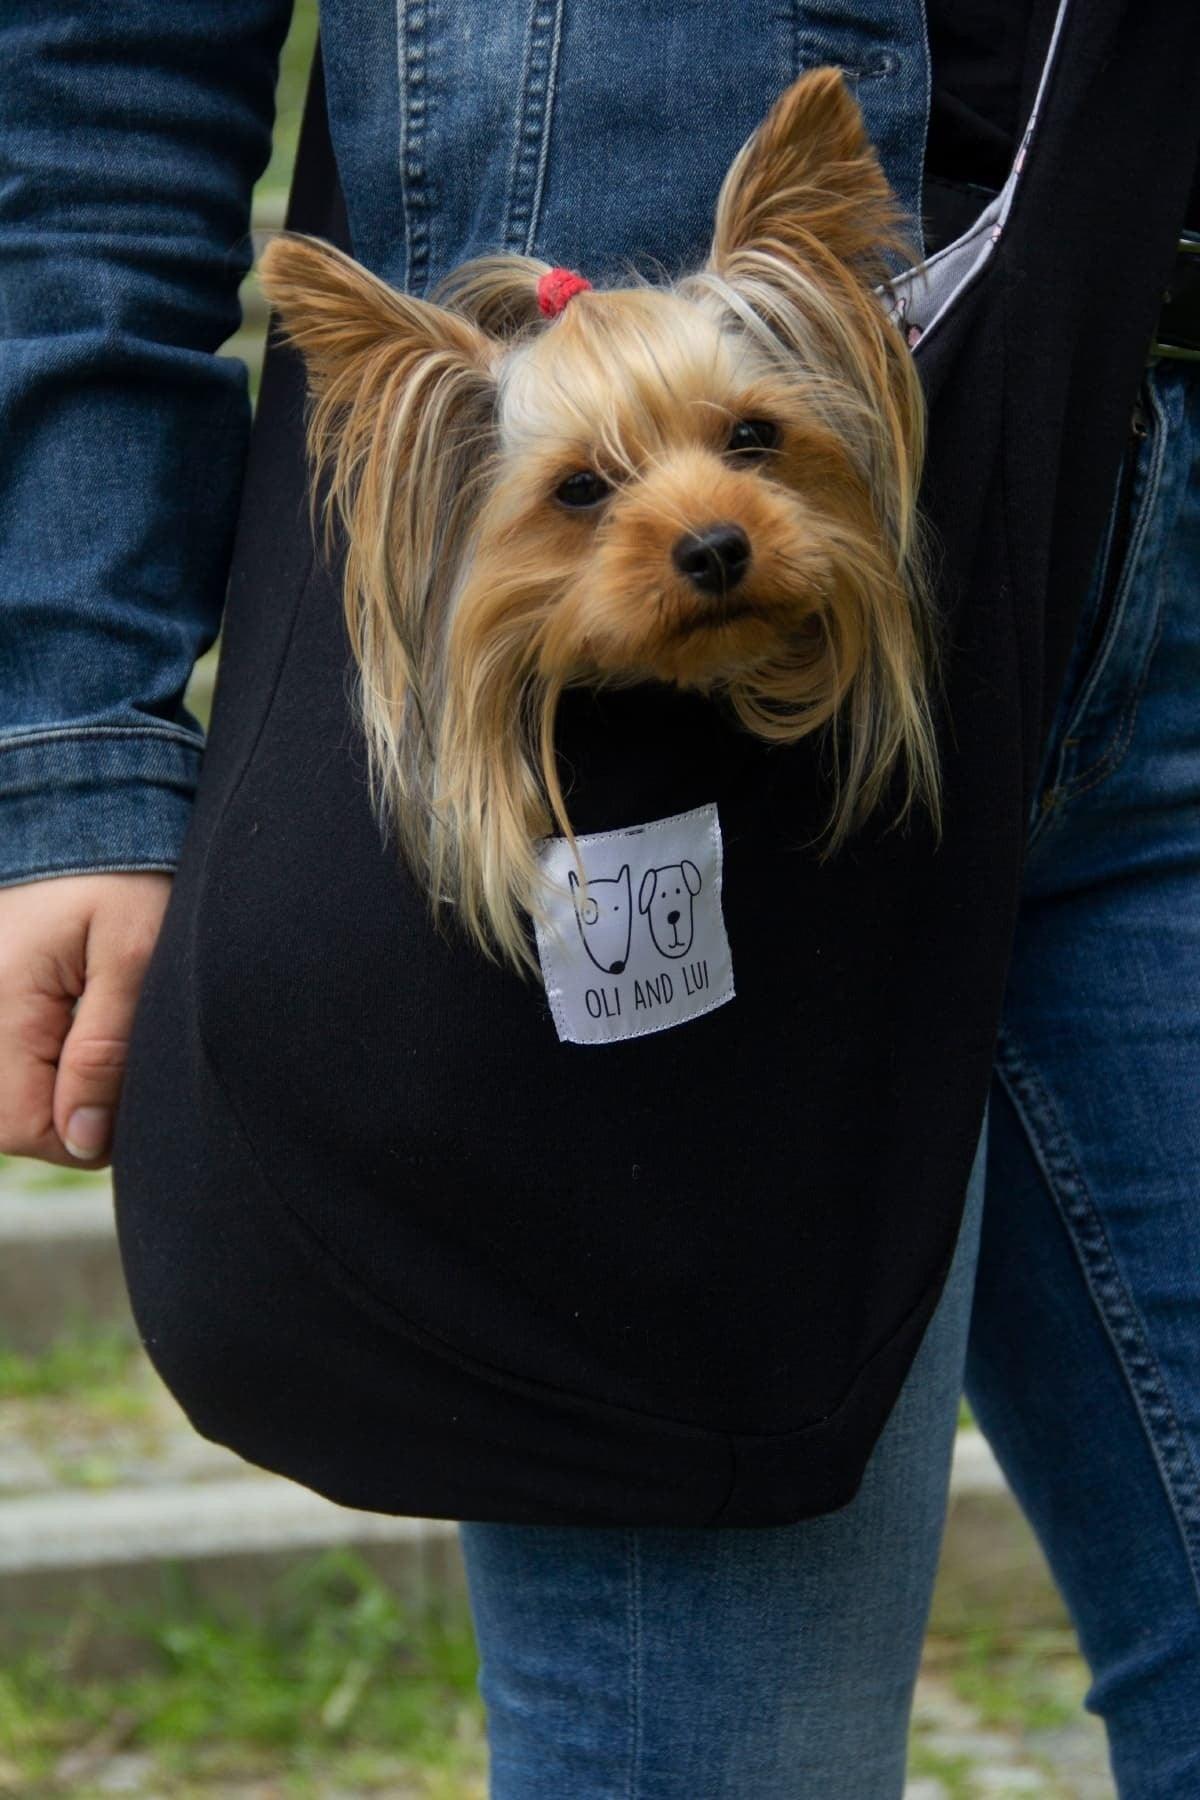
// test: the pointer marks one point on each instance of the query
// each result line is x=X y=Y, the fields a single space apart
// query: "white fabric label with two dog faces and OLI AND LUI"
x=647 y=948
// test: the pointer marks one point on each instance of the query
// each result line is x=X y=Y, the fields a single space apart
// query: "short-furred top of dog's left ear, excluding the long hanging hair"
x=341 y=316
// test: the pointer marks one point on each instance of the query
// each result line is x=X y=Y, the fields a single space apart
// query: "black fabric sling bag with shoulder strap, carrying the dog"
x=382 y=1230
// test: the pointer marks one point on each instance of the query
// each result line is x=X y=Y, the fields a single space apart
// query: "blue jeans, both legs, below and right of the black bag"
x=780 y=1662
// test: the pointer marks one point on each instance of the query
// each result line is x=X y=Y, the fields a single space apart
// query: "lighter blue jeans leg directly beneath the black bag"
x=710 y=1664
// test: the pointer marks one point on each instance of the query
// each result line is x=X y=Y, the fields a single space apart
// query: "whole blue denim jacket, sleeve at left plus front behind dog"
x=130 y=143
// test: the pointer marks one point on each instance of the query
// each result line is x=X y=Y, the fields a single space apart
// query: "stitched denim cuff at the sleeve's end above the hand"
x=96 y=798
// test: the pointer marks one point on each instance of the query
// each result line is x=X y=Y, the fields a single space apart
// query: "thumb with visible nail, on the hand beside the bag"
x=91 y=1066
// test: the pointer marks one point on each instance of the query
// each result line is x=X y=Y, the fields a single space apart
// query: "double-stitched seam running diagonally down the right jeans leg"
x=1111 y=1297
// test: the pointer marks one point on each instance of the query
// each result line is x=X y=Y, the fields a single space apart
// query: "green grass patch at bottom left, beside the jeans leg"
x=334 y=1673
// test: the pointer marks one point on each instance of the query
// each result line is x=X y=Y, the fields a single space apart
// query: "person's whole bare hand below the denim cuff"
x=73 y=958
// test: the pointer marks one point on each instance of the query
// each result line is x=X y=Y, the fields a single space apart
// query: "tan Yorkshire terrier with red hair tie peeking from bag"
x=710 y=483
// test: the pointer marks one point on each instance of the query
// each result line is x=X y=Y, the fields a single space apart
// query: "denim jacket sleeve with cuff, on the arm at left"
x=130 y=141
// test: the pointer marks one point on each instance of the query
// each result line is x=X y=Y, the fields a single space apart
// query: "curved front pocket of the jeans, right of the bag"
x=1118 y=627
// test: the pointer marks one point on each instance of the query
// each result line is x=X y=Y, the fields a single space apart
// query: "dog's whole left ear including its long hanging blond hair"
x=402 y=415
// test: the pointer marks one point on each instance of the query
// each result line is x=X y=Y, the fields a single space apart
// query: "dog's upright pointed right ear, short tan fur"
x=809 y=177
